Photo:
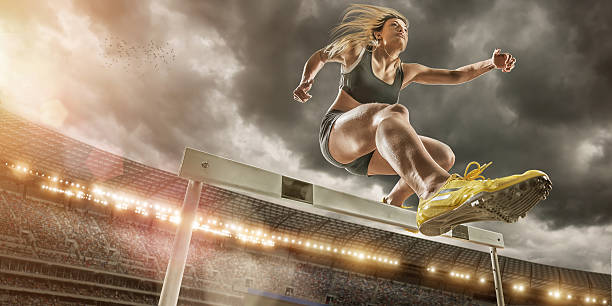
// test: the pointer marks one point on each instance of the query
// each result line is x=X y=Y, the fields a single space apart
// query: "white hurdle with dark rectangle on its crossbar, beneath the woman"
x=201 y=167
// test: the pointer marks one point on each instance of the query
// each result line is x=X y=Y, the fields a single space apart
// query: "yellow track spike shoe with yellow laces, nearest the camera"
x=466 y=199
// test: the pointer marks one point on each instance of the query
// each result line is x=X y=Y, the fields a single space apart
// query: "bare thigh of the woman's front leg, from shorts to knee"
x=354 y=133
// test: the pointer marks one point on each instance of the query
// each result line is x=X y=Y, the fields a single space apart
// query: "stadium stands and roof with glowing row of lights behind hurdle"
x=81 y=226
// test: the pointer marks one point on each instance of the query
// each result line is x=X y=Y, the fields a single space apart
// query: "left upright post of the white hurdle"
x=180 y=248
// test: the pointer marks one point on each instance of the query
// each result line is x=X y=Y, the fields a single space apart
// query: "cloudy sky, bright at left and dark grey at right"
x=146 y=79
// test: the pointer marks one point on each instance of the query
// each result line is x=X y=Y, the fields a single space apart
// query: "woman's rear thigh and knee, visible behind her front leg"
x=439 y=151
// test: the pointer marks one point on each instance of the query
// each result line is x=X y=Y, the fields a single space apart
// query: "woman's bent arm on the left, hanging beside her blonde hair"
x=314 y=64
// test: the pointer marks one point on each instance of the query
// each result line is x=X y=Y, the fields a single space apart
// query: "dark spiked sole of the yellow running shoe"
x=506 y=205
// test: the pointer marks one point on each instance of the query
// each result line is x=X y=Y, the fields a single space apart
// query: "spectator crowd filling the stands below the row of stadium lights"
x=97 y=257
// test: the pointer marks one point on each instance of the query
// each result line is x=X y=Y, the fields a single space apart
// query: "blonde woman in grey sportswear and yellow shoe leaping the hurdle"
x=367 y=132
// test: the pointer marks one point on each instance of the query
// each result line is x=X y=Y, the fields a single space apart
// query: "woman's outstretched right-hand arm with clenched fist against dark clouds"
x=424 y=75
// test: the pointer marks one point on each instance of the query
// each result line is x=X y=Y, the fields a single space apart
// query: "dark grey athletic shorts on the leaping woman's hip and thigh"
x=358 y=166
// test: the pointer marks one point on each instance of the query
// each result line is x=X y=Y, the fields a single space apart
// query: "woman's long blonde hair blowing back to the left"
x=358 y=26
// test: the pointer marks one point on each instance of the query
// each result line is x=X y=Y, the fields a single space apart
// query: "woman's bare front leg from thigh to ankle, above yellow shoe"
x=386 y=128
